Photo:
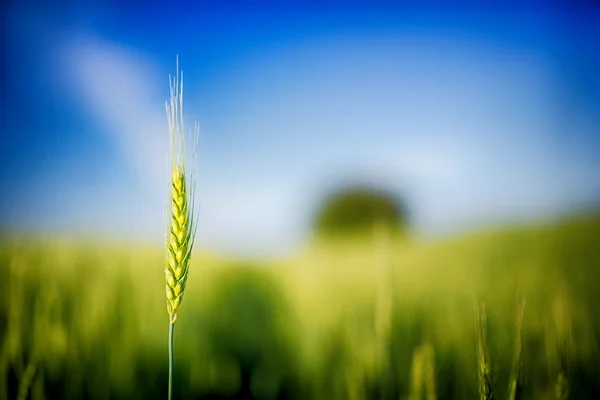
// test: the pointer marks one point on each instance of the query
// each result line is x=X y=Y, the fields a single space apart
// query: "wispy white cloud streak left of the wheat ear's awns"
x=118 y=87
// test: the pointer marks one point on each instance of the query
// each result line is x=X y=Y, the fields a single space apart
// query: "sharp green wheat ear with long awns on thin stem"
x=183 y=219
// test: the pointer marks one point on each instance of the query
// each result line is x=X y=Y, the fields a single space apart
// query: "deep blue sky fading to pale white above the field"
x=476 y=115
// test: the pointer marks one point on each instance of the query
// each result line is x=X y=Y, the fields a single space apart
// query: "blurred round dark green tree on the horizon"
x=356 y=210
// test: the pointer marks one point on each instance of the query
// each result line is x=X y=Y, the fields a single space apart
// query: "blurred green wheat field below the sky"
x=352 y=320
